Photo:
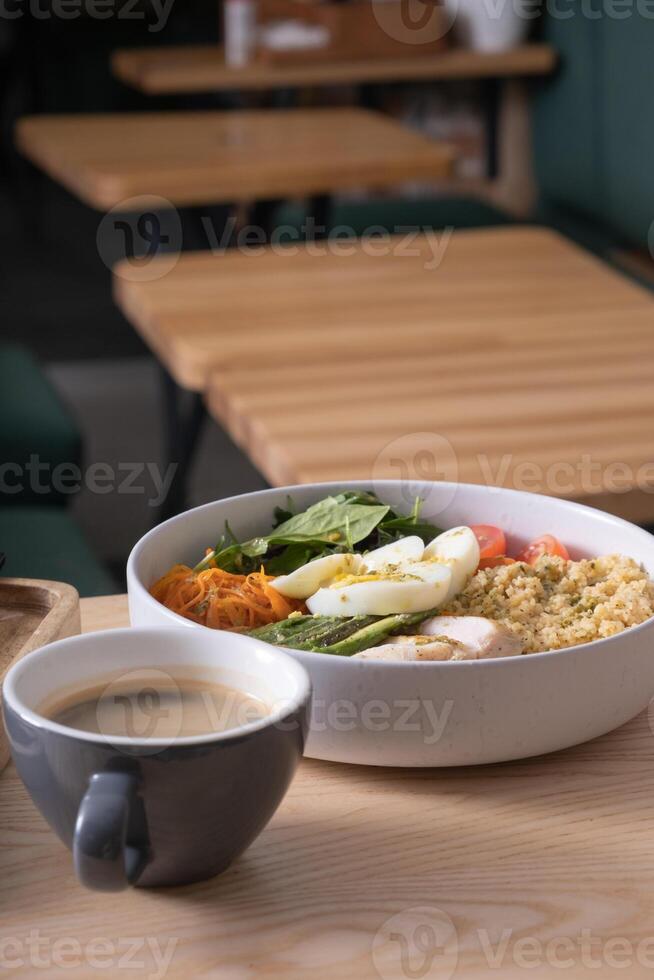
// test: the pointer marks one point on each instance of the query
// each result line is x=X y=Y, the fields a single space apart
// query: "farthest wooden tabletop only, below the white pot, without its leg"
x=202 y=68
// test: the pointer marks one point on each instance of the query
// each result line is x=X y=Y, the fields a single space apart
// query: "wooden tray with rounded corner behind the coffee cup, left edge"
x=33 y=612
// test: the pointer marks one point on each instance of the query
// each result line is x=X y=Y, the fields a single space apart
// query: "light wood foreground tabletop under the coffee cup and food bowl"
x=531 y=867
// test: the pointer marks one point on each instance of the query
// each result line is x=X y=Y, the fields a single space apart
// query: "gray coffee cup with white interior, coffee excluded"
x=156 y=811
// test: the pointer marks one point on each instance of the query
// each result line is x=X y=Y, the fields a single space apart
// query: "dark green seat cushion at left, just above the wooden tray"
x=45 y=542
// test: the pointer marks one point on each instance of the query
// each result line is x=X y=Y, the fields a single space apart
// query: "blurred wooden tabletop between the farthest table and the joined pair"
x=215 y=157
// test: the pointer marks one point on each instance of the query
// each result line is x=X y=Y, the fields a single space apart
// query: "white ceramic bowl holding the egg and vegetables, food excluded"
x=441 y=714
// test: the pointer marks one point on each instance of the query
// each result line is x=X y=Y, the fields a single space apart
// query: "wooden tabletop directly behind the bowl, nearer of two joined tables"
x=553 y=417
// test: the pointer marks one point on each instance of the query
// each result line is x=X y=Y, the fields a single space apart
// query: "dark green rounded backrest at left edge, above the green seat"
x=35 y=423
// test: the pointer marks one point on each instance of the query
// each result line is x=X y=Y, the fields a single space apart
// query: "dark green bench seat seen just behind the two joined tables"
x=393 y=214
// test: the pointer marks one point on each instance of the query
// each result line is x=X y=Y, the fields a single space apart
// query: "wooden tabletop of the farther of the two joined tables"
x=413 y=294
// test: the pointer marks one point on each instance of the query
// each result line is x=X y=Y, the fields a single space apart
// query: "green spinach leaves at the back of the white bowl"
x=349 y=521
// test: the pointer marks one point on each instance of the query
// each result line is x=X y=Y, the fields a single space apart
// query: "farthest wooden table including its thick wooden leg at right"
x=202 y=68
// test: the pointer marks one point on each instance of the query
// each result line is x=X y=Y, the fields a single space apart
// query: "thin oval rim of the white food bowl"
x=134 y=581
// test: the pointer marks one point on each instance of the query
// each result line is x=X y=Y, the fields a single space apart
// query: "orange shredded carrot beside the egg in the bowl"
x=222 y=600
